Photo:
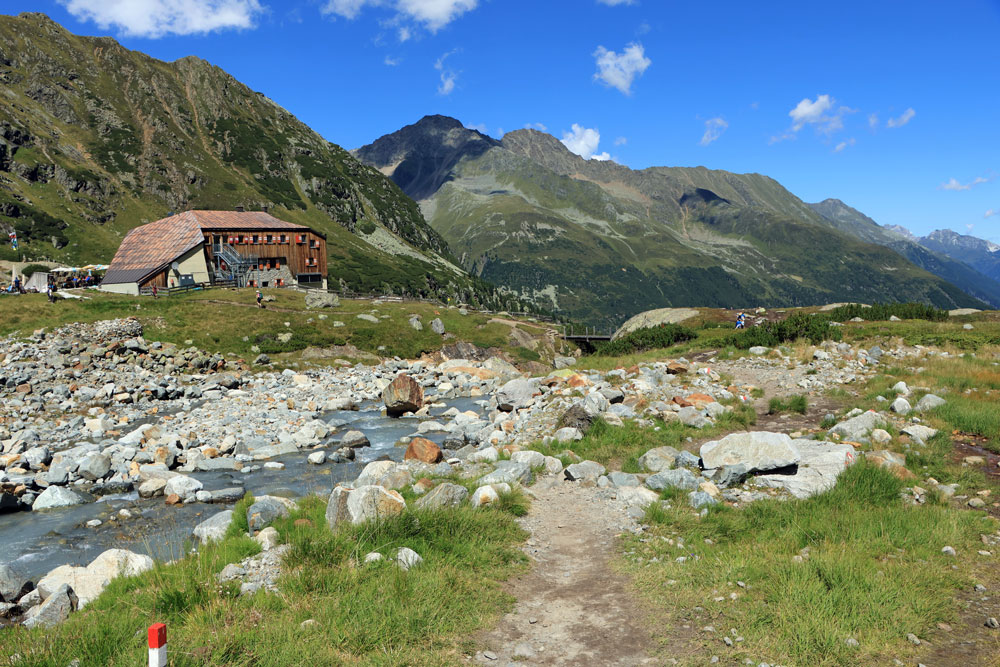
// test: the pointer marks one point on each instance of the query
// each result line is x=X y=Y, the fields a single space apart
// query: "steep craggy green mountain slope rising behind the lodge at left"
x=96 y=139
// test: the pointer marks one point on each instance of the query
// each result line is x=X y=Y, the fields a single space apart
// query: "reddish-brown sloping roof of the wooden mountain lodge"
x=150 y=248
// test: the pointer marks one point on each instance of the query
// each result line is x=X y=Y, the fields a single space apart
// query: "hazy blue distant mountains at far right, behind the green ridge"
x=963 y=275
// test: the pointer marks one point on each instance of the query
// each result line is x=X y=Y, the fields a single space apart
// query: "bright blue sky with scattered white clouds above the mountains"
x=892 y=107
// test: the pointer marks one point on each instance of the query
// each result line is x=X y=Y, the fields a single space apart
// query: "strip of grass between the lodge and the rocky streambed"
x=220 y=320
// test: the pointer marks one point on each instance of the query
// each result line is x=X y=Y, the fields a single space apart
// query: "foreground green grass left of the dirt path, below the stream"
x=365 y=614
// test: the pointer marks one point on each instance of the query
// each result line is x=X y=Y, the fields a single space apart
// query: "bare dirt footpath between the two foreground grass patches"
x=572 y=609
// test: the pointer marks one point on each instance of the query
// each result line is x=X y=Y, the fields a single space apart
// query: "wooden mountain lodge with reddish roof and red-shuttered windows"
x=248 y=249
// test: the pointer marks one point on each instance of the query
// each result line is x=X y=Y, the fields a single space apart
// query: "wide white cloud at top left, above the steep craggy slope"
x=157 y=18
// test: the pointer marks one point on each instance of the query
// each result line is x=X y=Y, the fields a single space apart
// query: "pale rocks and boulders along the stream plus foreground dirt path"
x=96 y=409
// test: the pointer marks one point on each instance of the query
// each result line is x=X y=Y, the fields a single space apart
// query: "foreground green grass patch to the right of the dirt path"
x=875 y=571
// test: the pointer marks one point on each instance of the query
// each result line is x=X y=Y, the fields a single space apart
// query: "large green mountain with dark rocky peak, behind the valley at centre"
x=600 y=241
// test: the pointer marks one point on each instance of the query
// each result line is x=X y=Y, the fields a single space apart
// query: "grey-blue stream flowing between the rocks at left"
x=41 y=541
